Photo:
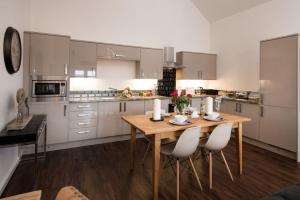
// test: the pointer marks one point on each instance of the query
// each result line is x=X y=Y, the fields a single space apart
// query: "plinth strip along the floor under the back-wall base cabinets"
x=30 y=148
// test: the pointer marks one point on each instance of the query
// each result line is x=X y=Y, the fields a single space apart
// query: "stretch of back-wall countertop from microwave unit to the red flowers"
x=108 y=99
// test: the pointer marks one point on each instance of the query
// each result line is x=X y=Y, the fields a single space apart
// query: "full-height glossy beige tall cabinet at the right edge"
x=278 y=85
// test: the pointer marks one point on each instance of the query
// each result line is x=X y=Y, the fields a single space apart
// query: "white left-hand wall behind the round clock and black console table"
x=14 y=13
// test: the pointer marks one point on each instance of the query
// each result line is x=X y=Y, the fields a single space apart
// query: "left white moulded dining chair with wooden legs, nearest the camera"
x=184 y=148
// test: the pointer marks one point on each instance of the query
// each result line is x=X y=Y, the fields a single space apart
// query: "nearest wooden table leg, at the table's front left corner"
x=156 y=164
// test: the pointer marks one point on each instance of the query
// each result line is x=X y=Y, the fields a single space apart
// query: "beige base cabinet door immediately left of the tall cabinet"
x=251 y=129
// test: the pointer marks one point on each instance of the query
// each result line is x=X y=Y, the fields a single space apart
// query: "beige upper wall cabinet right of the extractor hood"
x=198 y=66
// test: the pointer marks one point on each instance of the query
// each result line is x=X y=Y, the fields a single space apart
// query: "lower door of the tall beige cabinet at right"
x=278 y=127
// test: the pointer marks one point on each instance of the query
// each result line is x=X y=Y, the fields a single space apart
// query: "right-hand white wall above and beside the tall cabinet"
x=236 y=41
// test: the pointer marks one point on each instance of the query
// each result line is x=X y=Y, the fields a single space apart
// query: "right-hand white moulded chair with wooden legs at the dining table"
x=217 y=141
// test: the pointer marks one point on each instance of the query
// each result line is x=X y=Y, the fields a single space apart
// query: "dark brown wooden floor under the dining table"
x=102 y=172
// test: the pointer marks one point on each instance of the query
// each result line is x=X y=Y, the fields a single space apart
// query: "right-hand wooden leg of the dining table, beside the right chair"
x=239 y=147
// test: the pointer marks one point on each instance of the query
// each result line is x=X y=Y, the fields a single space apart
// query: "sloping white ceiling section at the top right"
x=215 y=10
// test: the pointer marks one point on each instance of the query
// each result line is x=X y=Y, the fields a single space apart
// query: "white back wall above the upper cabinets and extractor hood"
x=153 y=23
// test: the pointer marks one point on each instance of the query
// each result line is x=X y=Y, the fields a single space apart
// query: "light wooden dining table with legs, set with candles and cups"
x=163 y=129
